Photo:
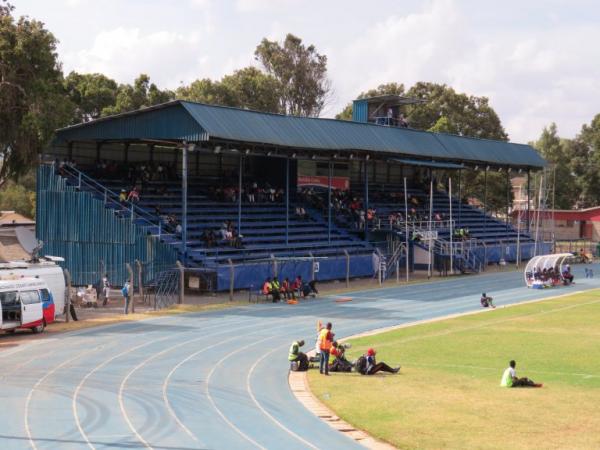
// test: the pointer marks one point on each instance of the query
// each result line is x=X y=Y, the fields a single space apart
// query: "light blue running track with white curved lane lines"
x=216 y=380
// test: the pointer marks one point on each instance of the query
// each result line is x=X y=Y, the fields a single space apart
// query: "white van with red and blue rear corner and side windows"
x=25 y=303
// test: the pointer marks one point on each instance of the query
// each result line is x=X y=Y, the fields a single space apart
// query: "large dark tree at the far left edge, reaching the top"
x=32 y=99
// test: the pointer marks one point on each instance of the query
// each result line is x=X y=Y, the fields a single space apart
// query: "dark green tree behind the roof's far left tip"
x=90 y=93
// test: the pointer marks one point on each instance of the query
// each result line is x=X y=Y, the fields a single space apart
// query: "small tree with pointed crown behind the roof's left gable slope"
x=141 y=95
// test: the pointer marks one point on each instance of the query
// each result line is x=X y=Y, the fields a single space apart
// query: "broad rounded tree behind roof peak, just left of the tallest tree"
x=246 y=88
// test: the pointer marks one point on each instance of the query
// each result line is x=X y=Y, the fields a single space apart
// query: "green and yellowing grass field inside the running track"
x=447 y=394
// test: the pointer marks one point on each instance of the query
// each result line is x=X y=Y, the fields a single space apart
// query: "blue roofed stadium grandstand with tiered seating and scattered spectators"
x=238 y=195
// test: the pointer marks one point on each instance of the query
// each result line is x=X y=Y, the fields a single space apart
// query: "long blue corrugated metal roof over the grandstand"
x=182 y=120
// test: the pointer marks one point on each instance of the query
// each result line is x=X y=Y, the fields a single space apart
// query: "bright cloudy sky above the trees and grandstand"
x=538 y=61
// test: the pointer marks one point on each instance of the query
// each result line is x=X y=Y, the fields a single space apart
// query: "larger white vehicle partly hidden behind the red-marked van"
x=45 y=270
